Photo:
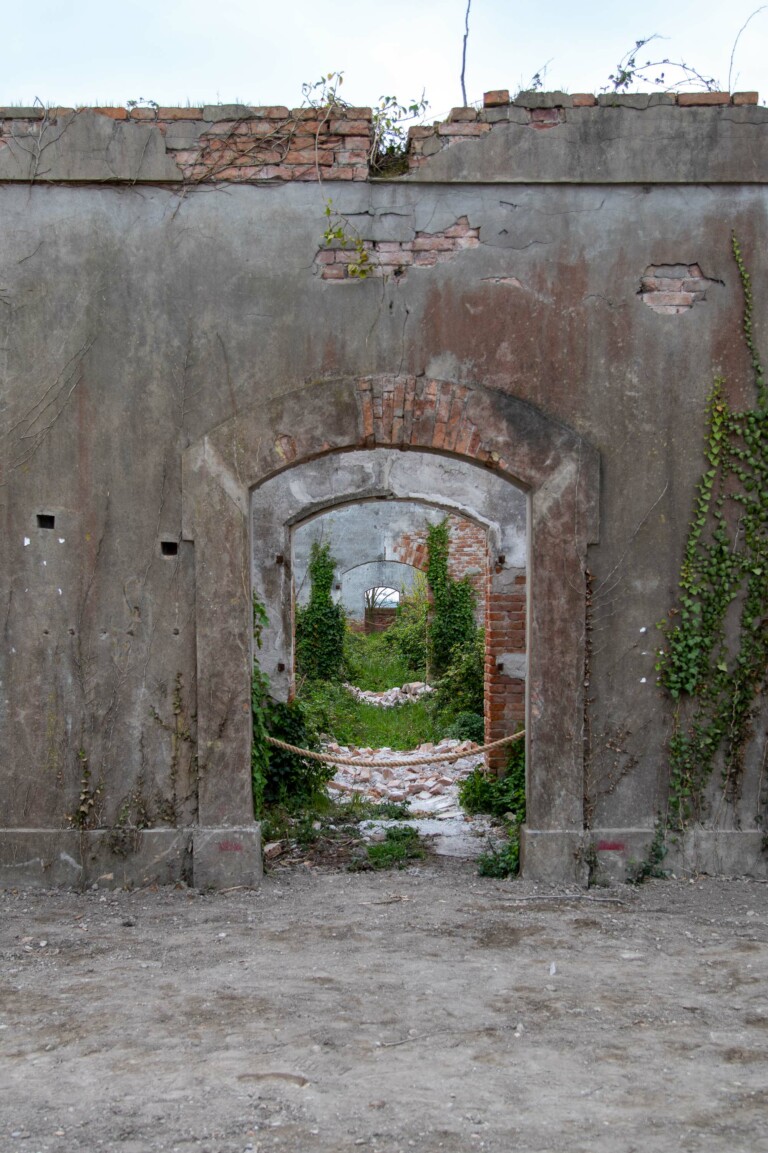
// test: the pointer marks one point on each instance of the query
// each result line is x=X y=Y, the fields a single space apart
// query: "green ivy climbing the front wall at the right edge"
x=716 y=658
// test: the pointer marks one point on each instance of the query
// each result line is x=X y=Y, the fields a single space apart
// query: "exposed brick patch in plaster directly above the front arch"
x=395 y=258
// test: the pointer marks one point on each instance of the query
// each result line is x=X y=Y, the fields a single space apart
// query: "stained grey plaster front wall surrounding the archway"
x=134 y=320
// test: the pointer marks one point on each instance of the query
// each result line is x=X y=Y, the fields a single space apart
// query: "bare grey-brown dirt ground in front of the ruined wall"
x=428 y=1009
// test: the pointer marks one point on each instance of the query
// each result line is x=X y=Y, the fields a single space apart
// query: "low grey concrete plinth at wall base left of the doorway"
x=118 y=858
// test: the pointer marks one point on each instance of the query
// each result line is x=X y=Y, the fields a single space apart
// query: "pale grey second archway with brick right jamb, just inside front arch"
x=400 y=484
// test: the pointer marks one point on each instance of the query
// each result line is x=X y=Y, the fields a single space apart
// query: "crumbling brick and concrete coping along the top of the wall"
x=244 y=145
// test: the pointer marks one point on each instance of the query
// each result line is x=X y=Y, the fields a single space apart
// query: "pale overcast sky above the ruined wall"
x=260 y=52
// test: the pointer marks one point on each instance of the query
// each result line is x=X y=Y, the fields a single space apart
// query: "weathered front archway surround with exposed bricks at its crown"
x=558 y=470
